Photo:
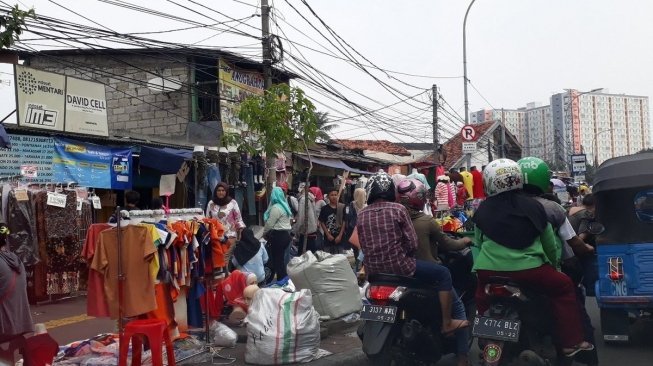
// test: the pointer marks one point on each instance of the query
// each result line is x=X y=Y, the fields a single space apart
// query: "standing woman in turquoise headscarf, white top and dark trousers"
x=277 y=229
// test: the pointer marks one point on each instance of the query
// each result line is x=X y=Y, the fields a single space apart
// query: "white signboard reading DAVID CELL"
x=86 y=107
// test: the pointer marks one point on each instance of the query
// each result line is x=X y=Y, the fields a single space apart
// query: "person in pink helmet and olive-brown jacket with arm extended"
x=413 y=195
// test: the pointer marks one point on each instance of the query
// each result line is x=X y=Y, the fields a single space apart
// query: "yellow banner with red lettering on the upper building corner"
x=234 y=86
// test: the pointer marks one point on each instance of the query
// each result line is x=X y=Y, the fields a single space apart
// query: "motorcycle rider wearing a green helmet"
x=537 y=175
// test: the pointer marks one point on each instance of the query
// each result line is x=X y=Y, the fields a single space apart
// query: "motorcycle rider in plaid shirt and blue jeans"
x=389 y=241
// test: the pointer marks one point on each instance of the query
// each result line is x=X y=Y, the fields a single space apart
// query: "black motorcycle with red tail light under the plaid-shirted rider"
x=397 y=329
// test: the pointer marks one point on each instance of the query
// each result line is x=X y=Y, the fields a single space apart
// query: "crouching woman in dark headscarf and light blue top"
x=250 y=255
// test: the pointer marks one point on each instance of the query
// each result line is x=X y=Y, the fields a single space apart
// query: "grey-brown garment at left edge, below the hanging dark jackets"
x=15 y=316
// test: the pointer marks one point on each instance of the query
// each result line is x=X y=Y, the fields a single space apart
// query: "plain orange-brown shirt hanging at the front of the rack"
x=137 y=253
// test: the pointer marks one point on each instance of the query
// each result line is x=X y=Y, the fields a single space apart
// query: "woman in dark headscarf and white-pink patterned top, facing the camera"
x=226 y=210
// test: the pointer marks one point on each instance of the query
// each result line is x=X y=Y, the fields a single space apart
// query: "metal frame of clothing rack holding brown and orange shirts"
x=124 y=214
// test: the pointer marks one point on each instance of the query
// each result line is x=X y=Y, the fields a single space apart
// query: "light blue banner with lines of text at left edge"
x=31 y=154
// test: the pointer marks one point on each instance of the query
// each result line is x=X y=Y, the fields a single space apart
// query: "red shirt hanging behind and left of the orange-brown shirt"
x=96 y=304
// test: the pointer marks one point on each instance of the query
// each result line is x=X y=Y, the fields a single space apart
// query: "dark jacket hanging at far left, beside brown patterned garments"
x=22 y=226
